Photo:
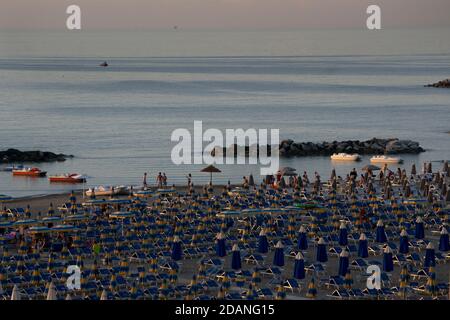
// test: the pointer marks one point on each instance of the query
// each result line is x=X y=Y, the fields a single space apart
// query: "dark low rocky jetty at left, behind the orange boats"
x=14 y=155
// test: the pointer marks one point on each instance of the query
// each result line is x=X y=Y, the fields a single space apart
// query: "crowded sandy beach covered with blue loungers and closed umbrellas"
x=136 y=235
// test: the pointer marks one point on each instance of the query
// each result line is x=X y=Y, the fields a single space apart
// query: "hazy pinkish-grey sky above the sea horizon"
x=223 y=14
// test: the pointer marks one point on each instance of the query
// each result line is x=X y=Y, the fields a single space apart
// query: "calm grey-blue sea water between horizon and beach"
x=312 y=85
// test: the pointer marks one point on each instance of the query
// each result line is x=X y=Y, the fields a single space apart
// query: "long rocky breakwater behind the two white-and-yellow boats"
x=288 y=148
